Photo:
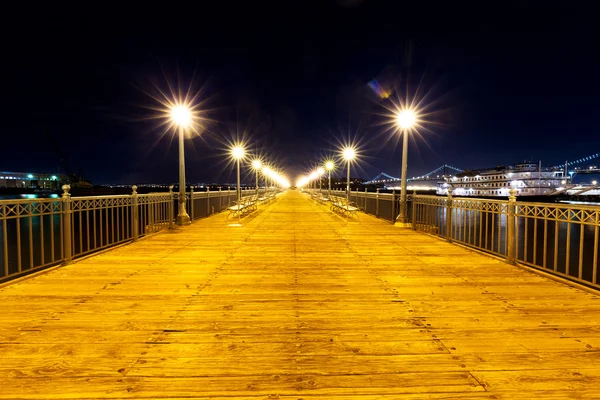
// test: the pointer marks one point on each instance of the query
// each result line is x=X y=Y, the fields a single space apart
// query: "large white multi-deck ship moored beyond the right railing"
x=527 y=178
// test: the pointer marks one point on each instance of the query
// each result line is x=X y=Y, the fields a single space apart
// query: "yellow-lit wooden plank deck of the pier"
x=298 y=303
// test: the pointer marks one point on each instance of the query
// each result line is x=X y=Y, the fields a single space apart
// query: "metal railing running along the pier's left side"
x=38 y=233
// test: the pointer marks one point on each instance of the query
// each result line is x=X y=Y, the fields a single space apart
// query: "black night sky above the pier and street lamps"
x=515 y=81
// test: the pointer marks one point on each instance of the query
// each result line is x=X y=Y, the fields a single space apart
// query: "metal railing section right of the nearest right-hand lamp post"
x=560 y=239
